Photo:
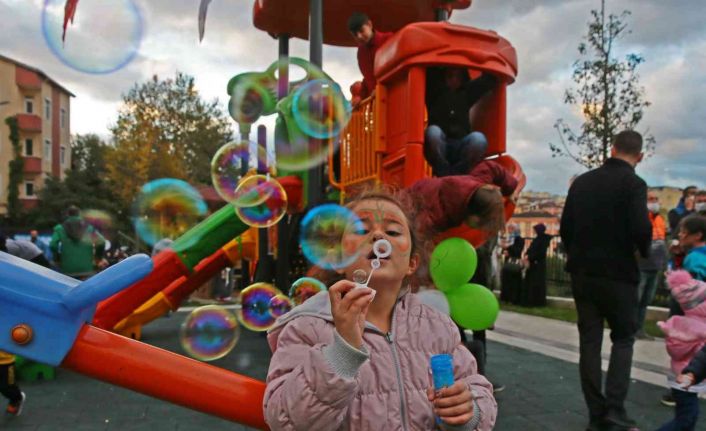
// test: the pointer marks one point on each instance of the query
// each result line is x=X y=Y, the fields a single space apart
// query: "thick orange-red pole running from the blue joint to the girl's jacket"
x=165 y=375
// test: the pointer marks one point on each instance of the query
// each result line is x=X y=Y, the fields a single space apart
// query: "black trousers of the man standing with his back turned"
x=601 y=299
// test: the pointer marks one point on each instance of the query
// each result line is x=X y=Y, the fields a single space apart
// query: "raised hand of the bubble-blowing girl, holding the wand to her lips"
x=349 y=307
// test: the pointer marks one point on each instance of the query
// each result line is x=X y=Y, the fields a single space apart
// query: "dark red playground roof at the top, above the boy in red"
x=292 y=16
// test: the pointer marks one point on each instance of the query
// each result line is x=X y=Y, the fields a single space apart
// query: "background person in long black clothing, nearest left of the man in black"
x=535 y=286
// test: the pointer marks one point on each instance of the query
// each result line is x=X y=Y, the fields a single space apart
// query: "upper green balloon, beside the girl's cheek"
x=453 y=263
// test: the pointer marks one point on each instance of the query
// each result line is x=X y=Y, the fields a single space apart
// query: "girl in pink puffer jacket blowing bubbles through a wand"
x=345 y=361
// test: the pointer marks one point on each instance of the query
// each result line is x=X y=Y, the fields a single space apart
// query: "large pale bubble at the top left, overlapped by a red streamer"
x=103 y=36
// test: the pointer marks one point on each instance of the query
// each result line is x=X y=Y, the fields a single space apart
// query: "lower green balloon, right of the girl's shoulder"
x=473 y=306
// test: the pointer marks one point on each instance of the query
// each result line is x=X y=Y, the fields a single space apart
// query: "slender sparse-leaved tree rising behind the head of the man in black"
x=607 y=90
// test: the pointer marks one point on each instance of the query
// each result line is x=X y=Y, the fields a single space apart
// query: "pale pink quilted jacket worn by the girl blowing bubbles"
x=318 y=382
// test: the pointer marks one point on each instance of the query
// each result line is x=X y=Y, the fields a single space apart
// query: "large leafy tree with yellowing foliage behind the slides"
x=165 y=129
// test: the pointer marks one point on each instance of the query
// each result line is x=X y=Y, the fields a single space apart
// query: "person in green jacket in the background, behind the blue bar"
x=76 y=245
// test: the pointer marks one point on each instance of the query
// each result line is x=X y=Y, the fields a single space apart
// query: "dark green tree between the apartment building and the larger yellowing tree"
x=85 y=185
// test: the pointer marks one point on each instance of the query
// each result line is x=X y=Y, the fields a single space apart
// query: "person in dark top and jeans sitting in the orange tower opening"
x=449 y=146
